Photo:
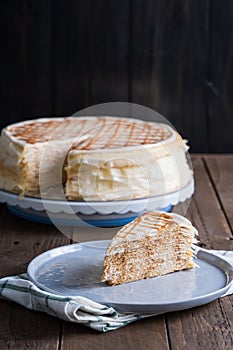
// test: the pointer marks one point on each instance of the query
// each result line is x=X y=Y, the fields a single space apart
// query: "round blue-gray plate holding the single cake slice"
x=76 y=270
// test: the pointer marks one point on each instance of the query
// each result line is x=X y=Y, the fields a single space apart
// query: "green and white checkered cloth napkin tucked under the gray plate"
x=75 y=309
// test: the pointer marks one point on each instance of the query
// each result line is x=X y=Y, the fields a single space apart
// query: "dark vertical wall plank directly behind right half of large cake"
x=169 y=63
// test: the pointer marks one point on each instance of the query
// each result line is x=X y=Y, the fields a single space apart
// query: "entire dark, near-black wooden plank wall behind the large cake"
x=174 y=56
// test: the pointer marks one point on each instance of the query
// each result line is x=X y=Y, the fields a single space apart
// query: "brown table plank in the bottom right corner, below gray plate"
x=205 y=327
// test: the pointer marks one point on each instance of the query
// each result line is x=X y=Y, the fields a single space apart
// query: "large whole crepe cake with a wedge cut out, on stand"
x=96 y=158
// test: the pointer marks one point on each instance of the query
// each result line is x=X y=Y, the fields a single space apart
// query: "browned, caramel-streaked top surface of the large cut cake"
x=92 y=133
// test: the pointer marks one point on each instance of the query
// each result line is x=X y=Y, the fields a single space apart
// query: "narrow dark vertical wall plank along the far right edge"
x=221 y=78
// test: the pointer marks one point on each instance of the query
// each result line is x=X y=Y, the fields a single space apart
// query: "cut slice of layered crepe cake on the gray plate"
x=154 y=244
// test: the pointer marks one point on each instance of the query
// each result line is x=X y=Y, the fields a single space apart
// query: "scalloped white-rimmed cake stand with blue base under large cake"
x=102 y=214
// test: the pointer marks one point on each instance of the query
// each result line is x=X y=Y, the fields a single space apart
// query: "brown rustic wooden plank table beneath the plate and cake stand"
x=204 y=327
